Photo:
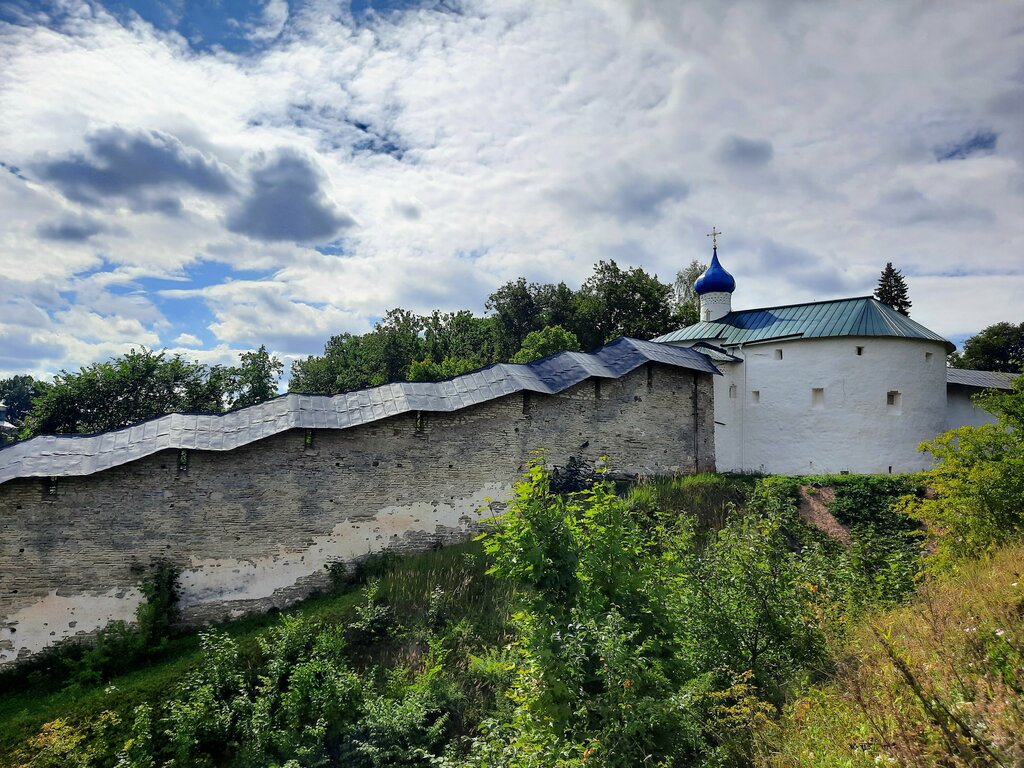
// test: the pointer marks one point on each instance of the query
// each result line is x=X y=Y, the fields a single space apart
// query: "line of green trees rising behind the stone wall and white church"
x=524 y=322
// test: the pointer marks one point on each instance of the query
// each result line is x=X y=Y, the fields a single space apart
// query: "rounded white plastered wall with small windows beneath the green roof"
x=815 y=406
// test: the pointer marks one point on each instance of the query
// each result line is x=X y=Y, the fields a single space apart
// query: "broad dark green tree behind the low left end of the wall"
x=140 y=386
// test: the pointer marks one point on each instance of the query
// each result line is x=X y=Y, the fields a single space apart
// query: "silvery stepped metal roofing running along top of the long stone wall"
x=81 y=455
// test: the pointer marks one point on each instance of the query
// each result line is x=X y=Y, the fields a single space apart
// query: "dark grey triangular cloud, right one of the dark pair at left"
x=287 y=202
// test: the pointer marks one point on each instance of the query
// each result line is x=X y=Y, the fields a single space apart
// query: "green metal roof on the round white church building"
x=864 y=316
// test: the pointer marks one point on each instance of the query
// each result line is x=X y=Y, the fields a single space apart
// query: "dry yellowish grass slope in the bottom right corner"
x=937 y=682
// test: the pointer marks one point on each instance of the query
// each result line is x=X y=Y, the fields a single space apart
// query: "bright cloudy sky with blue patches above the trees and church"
x=210 y=177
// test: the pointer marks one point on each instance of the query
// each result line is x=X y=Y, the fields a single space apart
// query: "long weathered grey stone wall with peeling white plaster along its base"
x=254 y=528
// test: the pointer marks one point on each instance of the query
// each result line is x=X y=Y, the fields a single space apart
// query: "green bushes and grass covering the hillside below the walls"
x=690 y=622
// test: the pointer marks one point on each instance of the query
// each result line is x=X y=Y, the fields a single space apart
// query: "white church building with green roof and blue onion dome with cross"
x=847 y=386
